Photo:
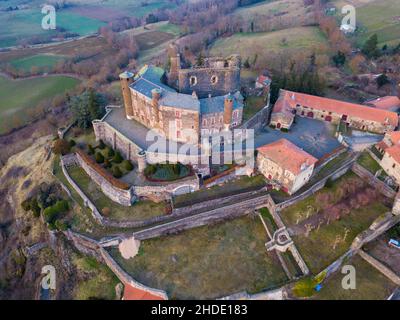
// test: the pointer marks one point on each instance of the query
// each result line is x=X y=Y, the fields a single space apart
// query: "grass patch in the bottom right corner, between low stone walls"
x=370 y=284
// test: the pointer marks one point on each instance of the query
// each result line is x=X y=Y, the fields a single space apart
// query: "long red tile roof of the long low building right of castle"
x=340 y=107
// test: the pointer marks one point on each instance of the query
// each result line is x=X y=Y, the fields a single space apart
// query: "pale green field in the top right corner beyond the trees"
x=376 y=16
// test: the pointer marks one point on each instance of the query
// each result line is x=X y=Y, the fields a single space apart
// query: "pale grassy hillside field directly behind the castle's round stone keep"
x=267 y=43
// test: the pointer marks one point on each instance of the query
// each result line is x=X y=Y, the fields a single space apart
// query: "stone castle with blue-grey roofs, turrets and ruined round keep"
x=183 y=102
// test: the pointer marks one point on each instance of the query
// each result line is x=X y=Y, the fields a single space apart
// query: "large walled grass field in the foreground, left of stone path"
x=189 y=265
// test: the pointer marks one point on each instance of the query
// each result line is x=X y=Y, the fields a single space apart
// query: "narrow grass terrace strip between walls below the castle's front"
x=239 y=185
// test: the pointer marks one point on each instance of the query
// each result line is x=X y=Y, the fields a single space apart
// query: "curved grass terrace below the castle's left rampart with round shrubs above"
x=141 y=210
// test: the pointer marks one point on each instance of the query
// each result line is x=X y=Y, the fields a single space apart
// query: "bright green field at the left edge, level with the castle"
x=19 y=97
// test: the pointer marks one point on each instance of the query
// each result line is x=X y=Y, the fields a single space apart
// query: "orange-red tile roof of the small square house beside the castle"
x=287 y=155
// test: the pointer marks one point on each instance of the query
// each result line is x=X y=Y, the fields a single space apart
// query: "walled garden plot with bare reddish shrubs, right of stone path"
x=325 y=224
